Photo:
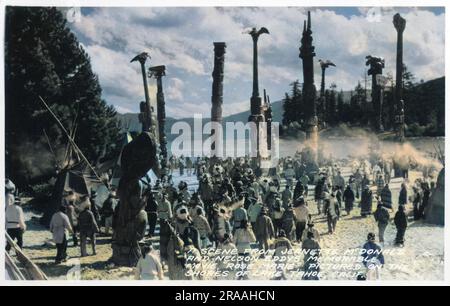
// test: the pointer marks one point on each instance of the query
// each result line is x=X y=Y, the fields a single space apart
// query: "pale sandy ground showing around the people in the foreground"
x=422 y=257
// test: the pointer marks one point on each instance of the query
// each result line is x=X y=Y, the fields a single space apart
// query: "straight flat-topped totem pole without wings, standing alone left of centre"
x=217 y=90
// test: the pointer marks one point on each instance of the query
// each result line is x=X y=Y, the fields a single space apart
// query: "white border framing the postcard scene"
x=199 y=3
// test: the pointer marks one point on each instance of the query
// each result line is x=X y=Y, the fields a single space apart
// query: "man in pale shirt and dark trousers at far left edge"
x=15 y=223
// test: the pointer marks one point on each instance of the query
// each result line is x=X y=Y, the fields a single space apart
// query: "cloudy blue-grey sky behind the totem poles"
x=182 y=39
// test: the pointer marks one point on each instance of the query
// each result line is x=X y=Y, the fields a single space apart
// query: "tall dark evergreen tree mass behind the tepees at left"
x=44 y=58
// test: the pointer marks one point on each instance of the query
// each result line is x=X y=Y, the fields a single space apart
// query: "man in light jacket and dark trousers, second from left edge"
x=60 y=226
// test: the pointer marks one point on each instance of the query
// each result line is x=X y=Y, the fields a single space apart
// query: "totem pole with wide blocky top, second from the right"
x=376 y=65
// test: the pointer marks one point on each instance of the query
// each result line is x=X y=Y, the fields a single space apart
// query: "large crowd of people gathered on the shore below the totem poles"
x=235 y=207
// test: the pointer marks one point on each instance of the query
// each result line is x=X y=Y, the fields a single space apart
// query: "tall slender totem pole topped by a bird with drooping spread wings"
x=256 y=111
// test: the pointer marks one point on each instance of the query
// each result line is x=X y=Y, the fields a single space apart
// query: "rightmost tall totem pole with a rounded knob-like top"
x=399 y=24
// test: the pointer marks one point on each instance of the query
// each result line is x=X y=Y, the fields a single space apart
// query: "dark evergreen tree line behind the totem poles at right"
x=424 y=107
